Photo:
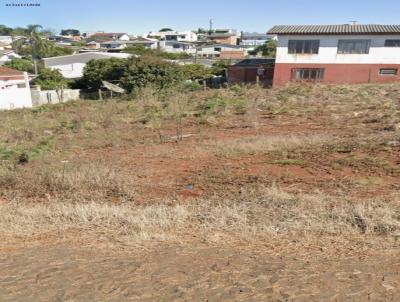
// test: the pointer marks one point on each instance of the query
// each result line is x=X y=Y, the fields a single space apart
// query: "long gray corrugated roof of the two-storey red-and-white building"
x=344 y=29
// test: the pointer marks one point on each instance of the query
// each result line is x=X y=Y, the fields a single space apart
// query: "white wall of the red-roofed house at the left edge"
x=13 y=97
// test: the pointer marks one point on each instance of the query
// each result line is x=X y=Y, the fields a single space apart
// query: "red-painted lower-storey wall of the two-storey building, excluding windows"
x=339 y=73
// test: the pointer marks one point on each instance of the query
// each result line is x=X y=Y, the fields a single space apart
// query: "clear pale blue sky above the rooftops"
x=138 y=17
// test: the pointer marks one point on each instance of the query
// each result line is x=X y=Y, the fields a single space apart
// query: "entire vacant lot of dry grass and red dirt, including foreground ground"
x=241 y=194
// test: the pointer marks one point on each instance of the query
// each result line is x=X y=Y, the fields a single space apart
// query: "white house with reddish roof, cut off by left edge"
x=14 y=89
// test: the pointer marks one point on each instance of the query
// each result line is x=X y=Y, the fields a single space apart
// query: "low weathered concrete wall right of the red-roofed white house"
x=40 y=97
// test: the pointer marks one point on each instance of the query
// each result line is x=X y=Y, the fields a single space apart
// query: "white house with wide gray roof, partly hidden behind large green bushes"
x=71 y=66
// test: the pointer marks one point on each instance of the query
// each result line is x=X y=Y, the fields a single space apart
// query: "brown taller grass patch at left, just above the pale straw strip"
x=67 y=182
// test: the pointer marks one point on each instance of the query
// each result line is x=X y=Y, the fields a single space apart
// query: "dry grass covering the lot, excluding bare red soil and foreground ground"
x=38 y=195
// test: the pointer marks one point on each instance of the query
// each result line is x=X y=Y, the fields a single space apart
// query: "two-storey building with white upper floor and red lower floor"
x=337 y=54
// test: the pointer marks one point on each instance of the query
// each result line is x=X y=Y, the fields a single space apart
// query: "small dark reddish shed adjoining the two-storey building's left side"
x=247 y=71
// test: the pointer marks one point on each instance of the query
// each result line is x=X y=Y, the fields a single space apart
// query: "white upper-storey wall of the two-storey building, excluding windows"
x=378 y=53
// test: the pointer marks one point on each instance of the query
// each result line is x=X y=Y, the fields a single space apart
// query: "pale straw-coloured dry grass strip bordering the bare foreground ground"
x=262 y=213
